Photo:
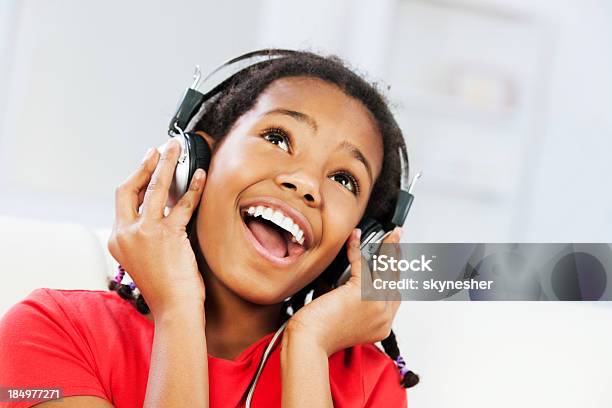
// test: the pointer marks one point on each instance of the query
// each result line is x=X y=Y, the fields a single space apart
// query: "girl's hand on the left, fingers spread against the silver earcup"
x=153 y=248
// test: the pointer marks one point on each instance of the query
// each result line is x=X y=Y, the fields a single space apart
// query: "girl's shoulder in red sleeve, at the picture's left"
x=71 y=338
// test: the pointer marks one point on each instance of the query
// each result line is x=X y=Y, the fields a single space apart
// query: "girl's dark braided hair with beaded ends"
x=217 y=117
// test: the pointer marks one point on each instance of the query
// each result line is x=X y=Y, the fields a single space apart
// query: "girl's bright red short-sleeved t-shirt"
x=91 y=342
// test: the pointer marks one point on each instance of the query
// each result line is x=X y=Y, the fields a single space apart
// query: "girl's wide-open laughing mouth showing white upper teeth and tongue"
x=274 y=235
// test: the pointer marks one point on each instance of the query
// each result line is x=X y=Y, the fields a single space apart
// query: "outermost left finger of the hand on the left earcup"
x=127 y=197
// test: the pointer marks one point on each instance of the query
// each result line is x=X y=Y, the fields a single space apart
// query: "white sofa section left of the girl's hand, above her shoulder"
x=35 y=254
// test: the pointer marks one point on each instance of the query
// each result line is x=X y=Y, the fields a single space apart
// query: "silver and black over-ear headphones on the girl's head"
x=196 y=153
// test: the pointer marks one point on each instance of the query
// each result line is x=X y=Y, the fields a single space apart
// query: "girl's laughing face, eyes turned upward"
x=306 y=150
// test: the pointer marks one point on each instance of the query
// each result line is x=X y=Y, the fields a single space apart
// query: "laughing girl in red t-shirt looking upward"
x=302 y=136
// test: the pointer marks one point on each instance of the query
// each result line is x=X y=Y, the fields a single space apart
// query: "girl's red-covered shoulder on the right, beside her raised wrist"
x=368 y=371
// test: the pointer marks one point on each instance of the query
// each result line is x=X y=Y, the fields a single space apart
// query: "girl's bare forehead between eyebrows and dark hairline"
x=336 y=114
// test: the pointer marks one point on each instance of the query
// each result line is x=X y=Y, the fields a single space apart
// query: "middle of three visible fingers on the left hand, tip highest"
x=156 y=196
